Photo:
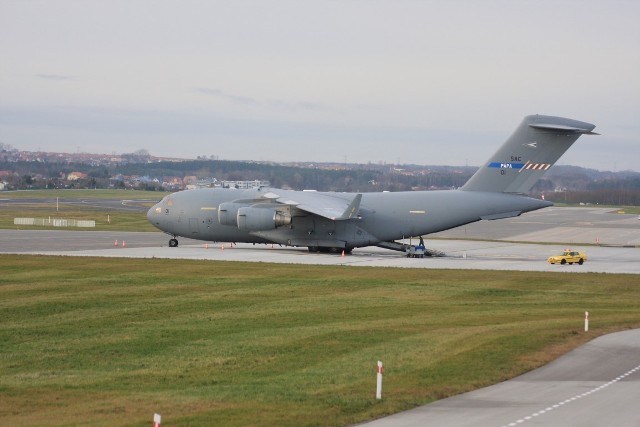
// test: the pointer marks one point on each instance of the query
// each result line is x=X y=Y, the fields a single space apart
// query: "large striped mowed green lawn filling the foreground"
x=93 y=341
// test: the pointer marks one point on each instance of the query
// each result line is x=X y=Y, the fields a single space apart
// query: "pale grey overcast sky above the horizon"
x=426 y=82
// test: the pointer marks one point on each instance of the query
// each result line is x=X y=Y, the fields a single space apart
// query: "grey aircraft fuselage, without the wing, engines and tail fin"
x=381 y=216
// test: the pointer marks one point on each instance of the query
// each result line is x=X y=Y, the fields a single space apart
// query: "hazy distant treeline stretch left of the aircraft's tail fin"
x=361 y=178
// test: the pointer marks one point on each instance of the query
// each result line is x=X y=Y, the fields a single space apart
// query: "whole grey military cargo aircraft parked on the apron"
x=336 y=222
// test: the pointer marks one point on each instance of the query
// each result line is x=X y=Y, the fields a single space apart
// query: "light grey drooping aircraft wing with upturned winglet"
x=322 y=204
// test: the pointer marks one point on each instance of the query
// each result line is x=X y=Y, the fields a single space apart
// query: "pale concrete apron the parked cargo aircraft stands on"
x=610 y=239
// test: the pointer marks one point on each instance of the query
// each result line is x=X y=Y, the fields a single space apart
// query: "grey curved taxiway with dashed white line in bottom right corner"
x=597 y=384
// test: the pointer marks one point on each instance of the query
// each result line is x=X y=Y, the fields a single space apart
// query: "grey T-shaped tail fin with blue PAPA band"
x=533 y=148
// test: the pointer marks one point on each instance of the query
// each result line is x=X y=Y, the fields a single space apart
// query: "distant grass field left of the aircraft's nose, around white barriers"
x=79 y=205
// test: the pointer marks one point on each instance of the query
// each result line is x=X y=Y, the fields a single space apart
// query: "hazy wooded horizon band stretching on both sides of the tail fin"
x=561 y=184
